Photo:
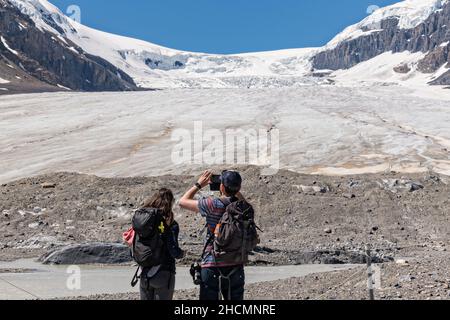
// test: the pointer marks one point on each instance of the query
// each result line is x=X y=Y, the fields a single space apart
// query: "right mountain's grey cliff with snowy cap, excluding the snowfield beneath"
x=409 y=26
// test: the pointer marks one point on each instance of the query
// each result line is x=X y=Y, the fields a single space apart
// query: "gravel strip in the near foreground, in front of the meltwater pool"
x=428 y=279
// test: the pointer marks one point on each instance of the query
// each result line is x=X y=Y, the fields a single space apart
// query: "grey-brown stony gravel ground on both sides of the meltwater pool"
x=306 y=219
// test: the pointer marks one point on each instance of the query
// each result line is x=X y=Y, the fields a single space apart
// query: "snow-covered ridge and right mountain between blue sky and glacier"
x=405 y=42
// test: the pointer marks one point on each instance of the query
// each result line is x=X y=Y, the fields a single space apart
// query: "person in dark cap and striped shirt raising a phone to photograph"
x=231 y=236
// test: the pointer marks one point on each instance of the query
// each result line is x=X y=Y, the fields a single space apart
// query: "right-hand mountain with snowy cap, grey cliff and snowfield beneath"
x=406 y=42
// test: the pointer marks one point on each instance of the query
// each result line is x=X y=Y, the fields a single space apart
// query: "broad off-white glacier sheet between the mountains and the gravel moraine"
x=323 y=129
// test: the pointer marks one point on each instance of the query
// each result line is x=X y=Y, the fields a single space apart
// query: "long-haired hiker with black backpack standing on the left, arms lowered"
x=155 y=246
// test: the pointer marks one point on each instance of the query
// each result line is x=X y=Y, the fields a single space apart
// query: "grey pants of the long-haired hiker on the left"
x=159 y=287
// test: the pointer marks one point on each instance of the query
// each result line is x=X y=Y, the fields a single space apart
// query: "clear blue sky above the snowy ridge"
x=224 y=26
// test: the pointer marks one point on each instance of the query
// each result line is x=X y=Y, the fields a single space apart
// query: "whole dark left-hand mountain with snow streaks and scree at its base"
x=35 y=56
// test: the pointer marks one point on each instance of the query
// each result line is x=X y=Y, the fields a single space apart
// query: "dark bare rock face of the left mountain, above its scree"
x=54 y=60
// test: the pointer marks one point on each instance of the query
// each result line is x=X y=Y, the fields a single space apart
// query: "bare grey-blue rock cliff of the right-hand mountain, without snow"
x=431 y=36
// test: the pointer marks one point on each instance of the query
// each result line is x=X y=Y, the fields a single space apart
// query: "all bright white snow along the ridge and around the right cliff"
x=154 y=66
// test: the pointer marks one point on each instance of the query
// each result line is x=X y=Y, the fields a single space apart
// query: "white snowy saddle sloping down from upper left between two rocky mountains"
x=153 y=66
